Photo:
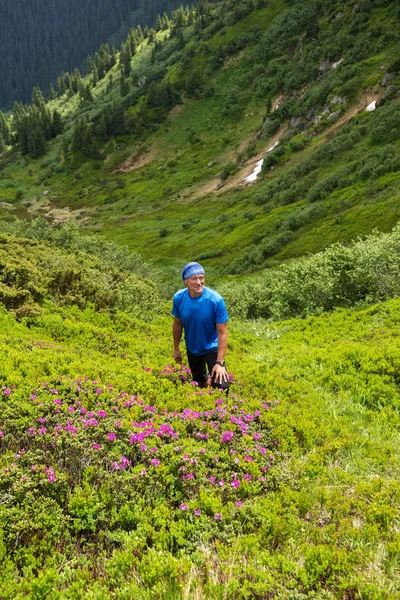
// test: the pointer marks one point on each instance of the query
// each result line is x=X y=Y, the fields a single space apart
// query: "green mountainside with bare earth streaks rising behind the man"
x=198 y=109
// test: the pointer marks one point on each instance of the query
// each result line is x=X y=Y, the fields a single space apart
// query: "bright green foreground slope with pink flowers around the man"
x=117 y=480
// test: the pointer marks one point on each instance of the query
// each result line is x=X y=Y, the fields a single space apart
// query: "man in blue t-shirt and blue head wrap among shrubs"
x=201 y=313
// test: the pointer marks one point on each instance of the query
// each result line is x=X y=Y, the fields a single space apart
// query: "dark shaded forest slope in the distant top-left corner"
x=39 y=40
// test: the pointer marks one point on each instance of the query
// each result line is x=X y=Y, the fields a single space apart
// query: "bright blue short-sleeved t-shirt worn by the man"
x=200 y=317
